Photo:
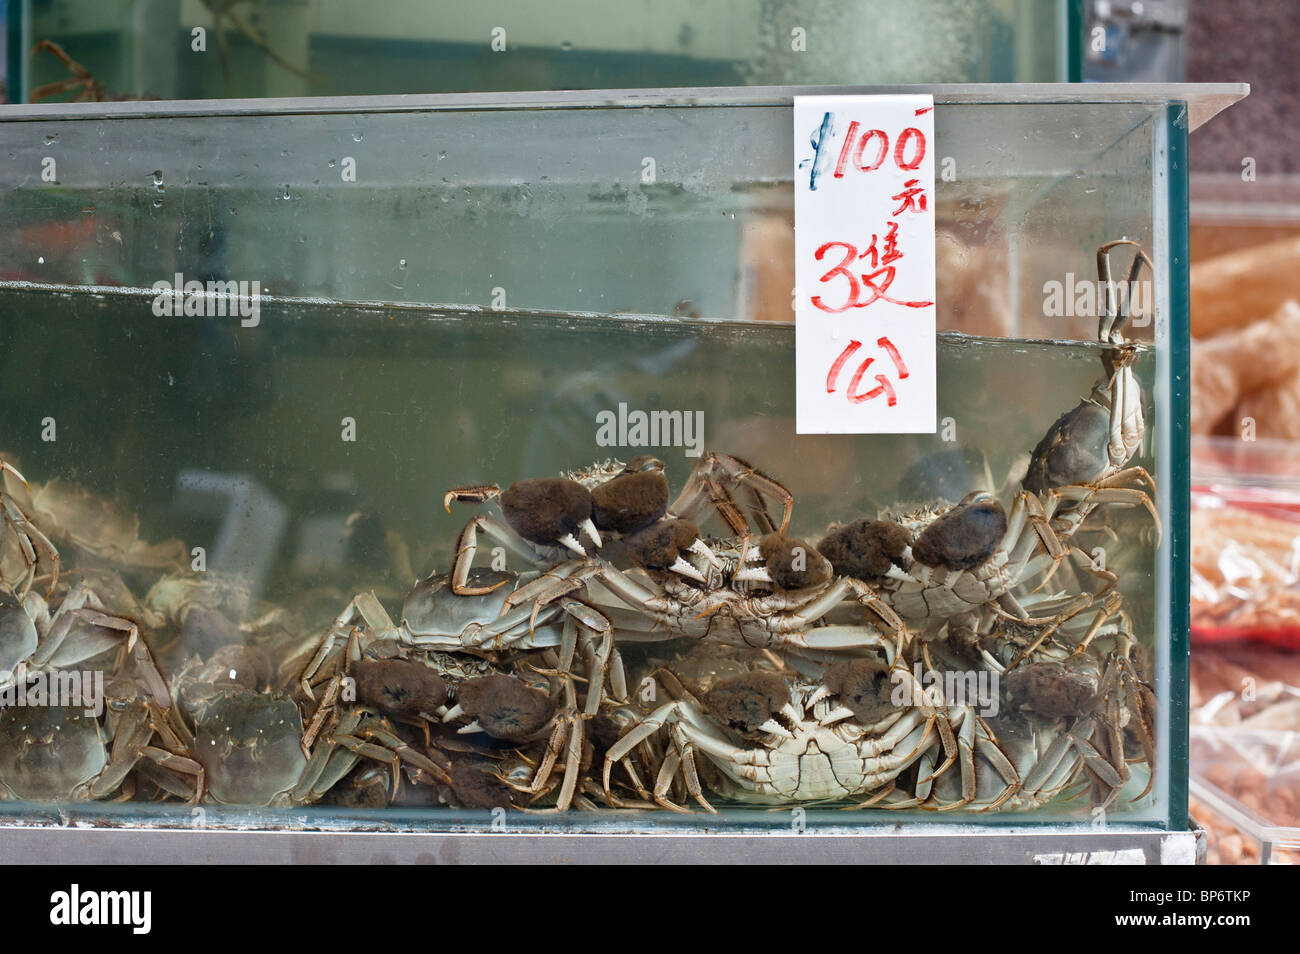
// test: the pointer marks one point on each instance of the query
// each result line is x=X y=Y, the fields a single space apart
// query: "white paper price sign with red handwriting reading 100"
x=865 y=264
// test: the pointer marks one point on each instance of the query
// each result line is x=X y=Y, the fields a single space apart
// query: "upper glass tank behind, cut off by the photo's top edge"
x=224 y=49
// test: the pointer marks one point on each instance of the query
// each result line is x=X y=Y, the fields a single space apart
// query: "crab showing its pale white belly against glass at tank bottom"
x=777 y=740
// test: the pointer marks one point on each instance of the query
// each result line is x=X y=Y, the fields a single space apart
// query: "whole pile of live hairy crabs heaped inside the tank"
x=617 y=656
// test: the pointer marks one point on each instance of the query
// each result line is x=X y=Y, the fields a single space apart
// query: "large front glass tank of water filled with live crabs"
x=401 y=462
